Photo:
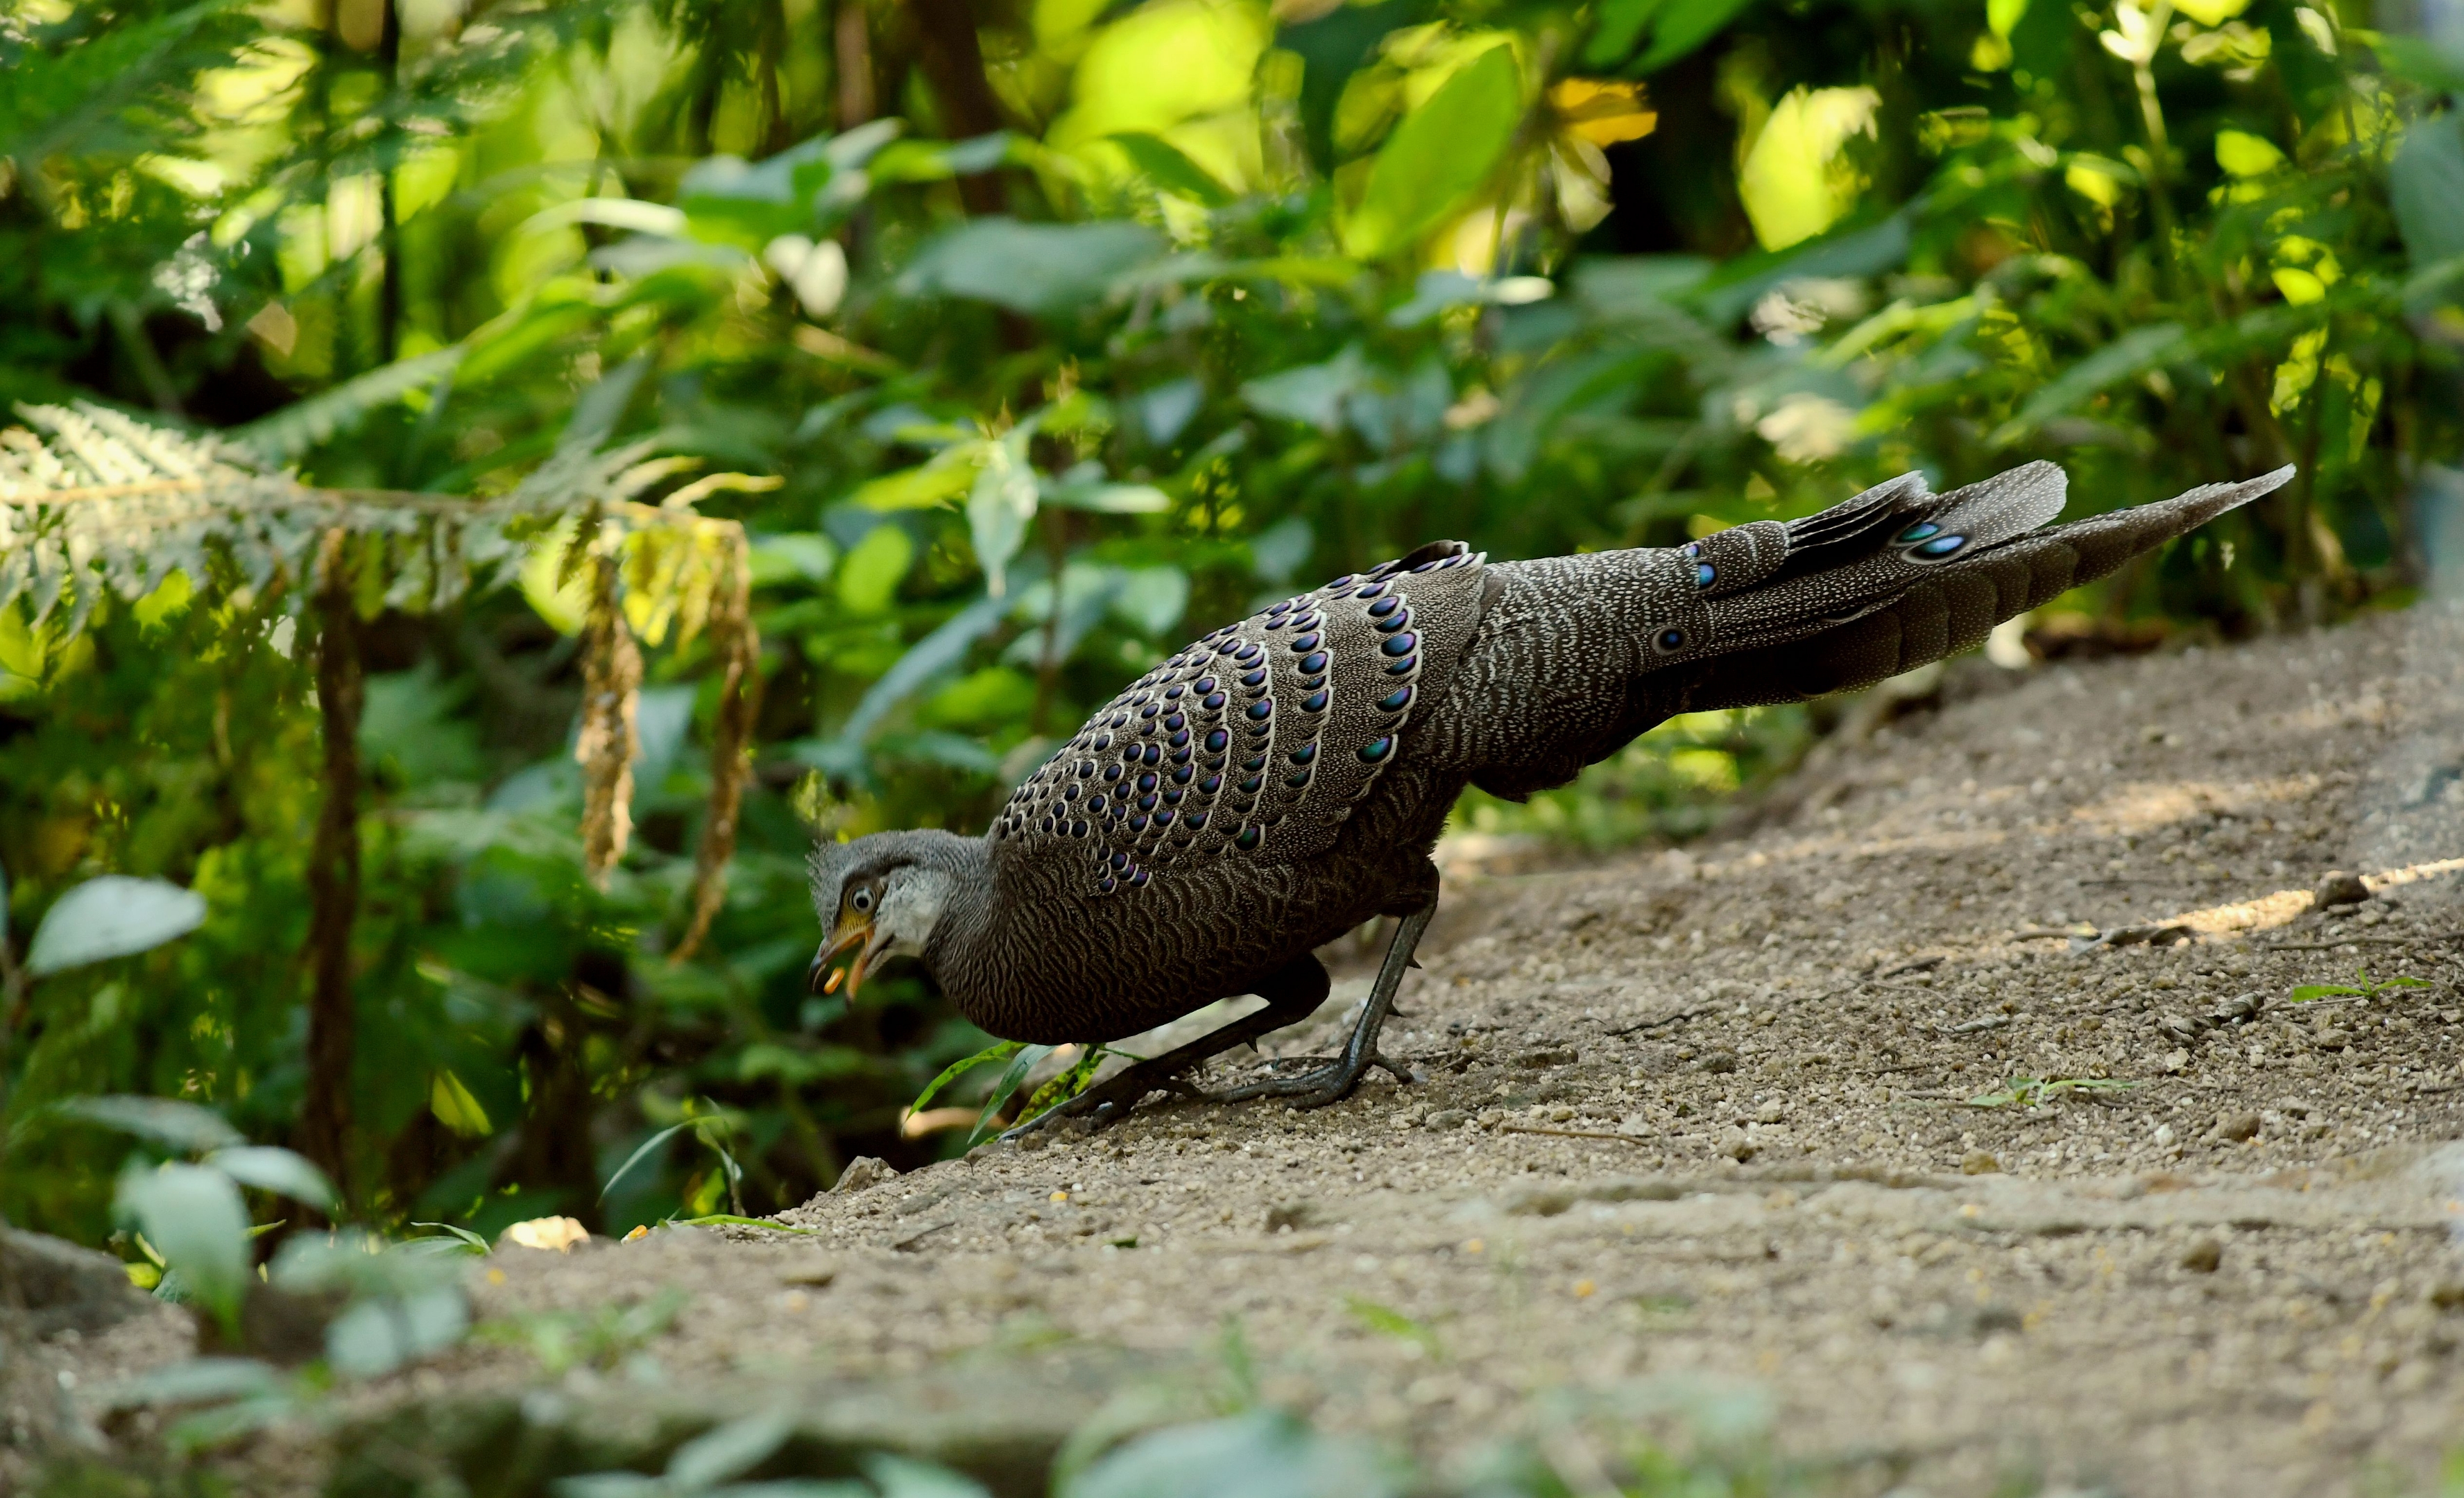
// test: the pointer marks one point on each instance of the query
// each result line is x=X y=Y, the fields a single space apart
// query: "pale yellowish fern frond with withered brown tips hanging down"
x=97 y=504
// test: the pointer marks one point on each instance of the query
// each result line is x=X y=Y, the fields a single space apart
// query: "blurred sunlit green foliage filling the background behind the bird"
x=1029 y=339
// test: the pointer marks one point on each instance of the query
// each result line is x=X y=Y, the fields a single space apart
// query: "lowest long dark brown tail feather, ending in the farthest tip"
x=1958 y=607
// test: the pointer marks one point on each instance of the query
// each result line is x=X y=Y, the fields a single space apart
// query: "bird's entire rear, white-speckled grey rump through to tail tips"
x=1581 y=654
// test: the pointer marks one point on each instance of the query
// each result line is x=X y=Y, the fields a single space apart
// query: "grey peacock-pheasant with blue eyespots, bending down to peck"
x=1285 y=780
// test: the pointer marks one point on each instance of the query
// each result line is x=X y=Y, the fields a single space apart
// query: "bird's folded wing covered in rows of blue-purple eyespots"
x=1260 y=738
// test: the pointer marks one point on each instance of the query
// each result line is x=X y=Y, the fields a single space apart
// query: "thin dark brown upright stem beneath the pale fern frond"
x=334 y=876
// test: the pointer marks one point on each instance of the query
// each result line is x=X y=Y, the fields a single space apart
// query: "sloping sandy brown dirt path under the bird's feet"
x=1696 y=1125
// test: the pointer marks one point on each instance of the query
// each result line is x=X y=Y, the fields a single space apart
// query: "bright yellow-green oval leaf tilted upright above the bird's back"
x=1438 y=156
